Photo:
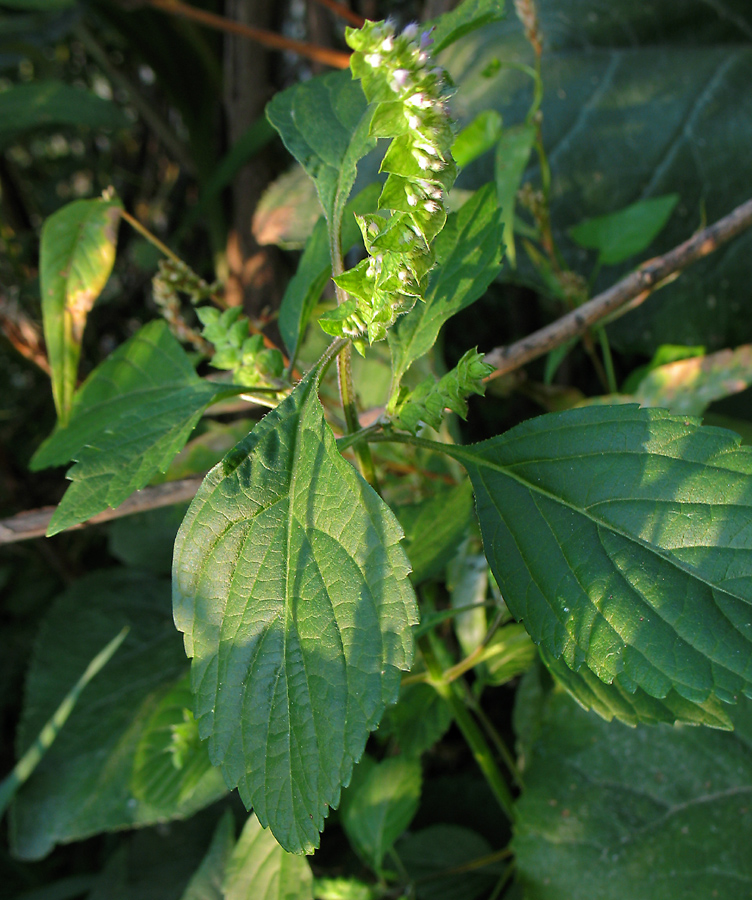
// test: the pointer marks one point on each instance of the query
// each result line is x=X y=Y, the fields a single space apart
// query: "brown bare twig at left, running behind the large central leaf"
x=33 y=523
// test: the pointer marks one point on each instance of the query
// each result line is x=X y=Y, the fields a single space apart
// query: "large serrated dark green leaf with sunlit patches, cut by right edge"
x=622 y=538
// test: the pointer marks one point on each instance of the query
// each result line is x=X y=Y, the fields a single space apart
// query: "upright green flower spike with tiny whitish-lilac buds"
x=409 y=94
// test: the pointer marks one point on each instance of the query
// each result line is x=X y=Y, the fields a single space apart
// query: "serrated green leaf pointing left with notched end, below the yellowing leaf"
x=131 y=417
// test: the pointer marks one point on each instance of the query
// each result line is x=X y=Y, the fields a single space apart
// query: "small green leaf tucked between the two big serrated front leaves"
x=434 y=529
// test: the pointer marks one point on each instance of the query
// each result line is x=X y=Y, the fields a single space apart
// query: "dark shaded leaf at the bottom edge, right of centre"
x=431 y=855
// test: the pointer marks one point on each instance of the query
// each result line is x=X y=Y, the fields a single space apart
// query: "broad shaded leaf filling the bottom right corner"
x=610 y=812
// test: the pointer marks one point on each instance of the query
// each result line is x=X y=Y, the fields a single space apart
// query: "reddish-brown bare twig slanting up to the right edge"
x=623 y=296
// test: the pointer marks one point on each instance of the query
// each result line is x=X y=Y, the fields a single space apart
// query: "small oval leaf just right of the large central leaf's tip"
x=382 y=807
